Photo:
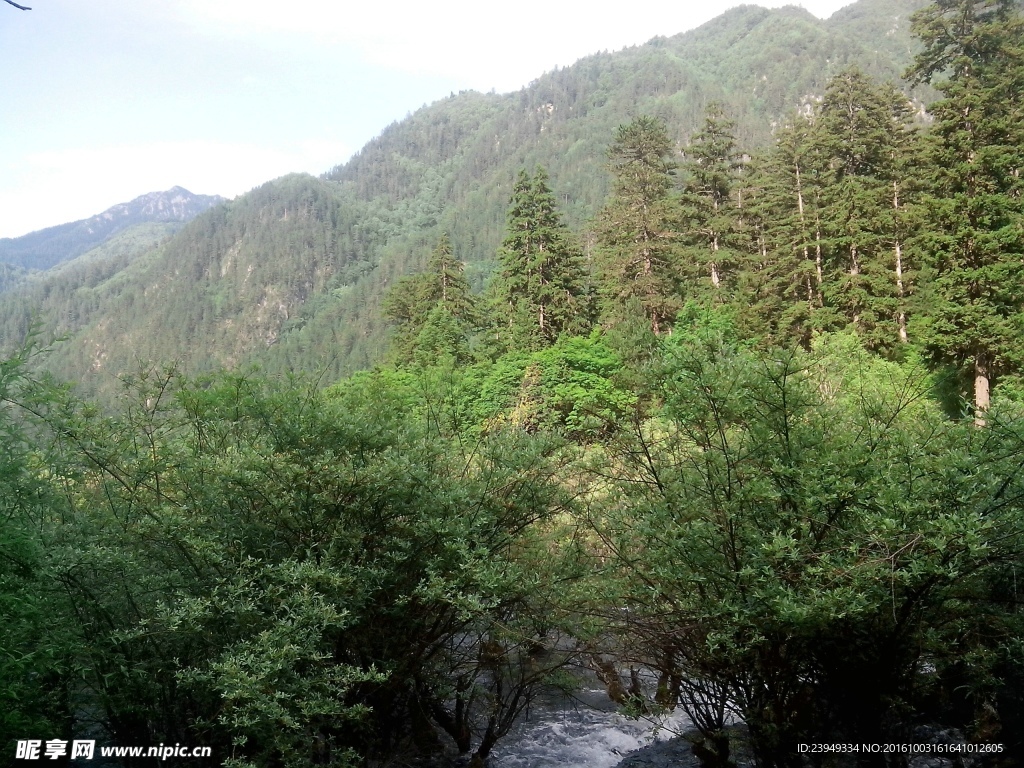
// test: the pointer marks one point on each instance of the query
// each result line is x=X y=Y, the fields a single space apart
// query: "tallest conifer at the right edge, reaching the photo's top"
x=975 y=242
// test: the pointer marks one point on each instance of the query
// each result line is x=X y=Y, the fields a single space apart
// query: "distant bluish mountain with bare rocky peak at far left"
x=46 y=248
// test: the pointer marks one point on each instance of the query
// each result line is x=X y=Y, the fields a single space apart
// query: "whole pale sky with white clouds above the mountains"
x=103 y=101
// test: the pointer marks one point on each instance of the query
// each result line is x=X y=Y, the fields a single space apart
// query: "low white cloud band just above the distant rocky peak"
x=52 y=188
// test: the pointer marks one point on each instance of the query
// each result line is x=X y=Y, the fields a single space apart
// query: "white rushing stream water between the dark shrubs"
x=582 y=734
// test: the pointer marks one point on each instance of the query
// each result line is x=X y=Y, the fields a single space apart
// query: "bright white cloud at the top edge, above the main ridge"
x=502 y=47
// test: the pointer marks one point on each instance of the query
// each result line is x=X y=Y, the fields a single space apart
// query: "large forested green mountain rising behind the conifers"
x=292 y=275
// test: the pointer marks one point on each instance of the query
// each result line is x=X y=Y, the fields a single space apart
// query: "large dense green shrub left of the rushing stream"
x=261 y=537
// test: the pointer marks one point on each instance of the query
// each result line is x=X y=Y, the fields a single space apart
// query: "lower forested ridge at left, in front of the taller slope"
x=224 y=287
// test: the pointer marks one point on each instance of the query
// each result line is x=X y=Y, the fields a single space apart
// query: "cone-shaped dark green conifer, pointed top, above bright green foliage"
x=541 y=290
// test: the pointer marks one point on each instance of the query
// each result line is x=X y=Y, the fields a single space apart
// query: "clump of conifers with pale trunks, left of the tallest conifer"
x=830 y=211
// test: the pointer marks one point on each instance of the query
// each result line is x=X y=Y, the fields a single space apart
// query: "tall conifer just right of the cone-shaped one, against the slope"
x=635 y=229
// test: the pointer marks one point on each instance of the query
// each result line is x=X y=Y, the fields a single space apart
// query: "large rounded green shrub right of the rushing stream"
x=789 y=534
